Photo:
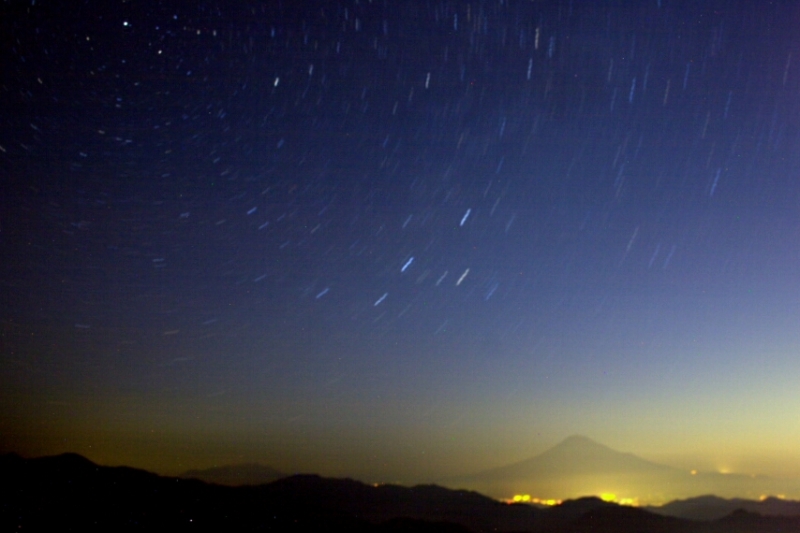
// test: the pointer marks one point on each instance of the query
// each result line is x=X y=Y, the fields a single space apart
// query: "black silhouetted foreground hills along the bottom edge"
x=70 y=493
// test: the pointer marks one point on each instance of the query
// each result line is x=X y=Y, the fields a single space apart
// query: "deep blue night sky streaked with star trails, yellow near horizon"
x=400 y=240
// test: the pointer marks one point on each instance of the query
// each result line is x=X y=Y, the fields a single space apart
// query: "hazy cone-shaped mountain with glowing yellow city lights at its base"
x=579 y=466
